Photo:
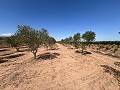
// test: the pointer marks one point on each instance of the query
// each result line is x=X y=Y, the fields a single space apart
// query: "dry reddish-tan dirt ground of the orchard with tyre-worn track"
x=67 y=70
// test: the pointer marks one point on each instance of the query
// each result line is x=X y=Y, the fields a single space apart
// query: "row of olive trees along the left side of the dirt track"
x=32 y=38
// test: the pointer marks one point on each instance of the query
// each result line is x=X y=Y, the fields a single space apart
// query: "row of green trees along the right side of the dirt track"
x=80 y=40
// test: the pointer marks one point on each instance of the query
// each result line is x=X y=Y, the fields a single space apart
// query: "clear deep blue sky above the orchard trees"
x=62 y=18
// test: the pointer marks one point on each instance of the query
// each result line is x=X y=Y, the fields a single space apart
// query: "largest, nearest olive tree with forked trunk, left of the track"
x=30 y=37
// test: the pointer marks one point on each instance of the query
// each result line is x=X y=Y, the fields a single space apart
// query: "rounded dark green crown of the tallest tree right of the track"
x=89 y=36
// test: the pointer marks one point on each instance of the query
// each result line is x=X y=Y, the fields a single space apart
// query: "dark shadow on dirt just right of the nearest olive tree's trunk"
x=47 y=55
